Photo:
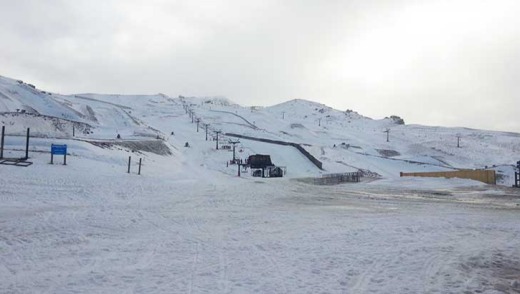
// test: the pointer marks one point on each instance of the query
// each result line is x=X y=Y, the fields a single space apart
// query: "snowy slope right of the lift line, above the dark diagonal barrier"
x=348 y=141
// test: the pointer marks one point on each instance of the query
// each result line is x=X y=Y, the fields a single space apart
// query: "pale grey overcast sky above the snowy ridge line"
x=432 y=62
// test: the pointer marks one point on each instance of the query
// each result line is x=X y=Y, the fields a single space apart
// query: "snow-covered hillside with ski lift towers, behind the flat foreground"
x=343 y=141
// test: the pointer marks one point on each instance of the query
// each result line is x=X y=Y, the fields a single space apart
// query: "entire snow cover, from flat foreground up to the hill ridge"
x=189 y=224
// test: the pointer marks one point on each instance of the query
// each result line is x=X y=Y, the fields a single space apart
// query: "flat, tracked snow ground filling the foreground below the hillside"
x=72 y=232
